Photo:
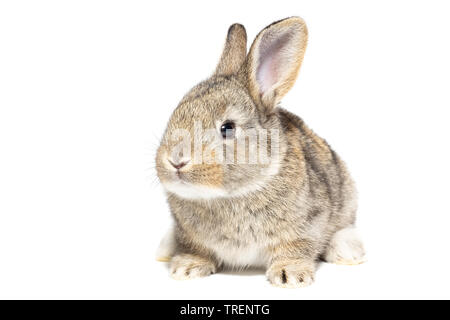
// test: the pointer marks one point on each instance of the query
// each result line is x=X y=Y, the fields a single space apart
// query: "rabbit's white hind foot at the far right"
x=346 y=248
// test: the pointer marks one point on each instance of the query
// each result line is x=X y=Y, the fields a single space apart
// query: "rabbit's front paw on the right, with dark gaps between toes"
x=293 y=274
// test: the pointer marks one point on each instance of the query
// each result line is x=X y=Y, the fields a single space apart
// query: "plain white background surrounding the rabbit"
x=86 y=88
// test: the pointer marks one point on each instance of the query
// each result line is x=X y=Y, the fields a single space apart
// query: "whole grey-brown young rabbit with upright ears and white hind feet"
x=283 y=215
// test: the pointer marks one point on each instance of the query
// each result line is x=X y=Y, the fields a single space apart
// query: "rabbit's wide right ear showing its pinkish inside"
x=274 y=60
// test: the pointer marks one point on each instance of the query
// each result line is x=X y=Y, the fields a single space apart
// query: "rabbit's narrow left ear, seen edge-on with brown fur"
x=235 y=51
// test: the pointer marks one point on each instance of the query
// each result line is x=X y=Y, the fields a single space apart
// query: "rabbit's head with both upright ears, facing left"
x=225 y=139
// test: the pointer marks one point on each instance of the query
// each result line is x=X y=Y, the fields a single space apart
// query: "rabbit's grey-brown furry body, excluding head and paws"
x=241 y=231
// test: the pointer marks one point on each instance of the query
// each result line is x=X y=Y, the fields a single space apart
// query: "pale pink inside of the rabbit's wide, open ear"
x=270 y=60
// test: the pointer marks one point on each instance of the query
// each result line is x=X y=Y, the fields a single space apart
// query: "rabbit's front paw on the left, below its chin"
x=187 y=266
